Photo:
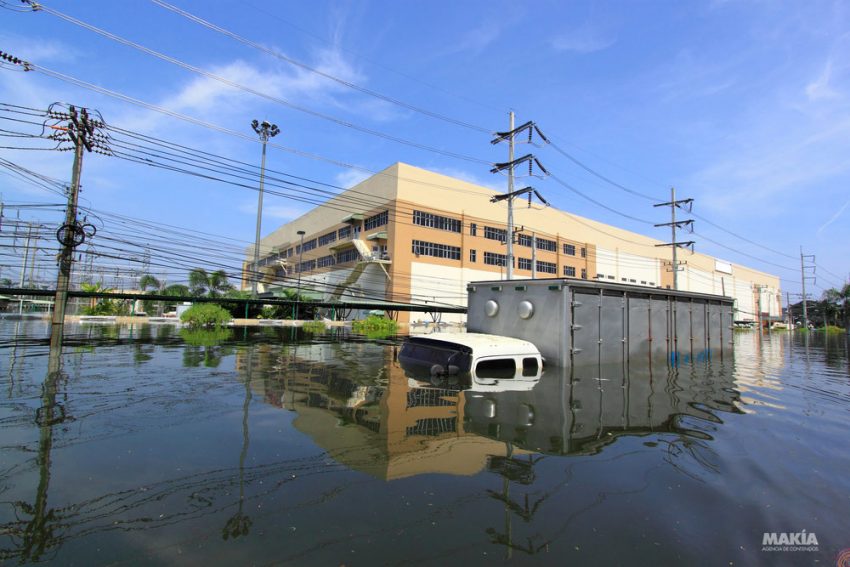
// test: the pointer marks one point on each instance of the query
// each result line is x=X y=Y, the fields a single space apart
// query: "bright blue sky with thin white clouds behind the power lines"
x=741 y=105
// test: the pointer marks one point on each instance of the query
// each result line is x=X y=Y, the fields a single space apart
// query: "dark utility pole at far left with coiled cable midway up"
x=81 y=131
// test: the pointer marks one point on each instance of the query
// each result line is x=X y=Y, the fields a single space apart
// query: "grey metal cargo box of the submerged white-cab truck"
x=580 y=323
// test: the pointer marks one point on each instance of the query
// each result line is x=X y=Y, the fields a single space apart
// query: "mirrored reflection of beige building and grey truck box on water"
x=372 y=415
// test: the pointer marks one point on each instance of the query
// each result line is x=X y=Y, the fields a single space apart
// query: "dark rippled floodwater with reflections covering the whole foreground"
x=264 y=447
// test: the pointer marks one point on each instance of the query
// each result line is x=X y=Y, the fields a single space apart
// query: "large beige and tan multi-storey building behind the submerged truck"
x=409 y=235
